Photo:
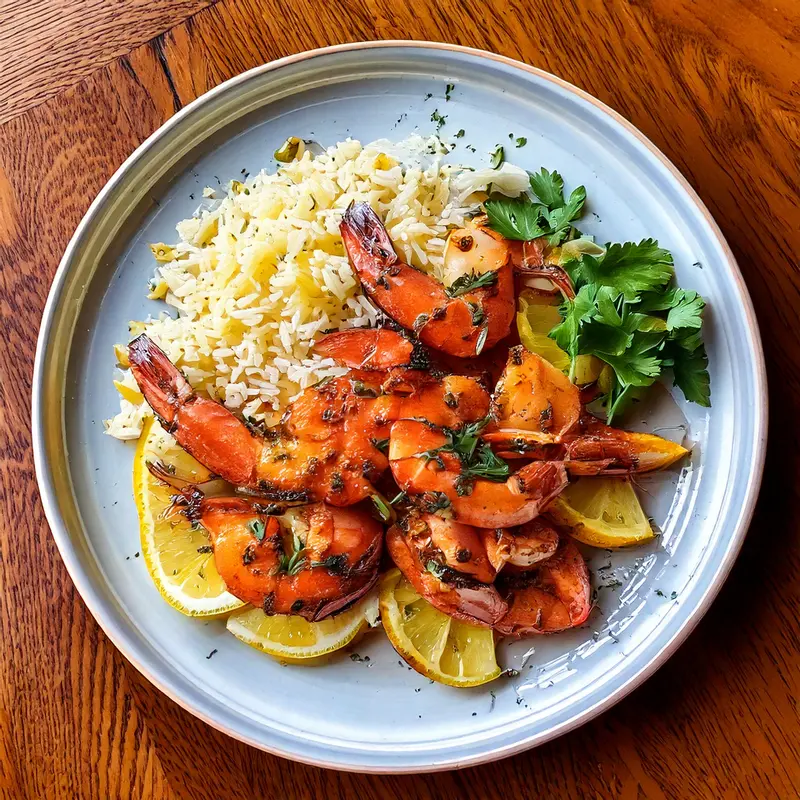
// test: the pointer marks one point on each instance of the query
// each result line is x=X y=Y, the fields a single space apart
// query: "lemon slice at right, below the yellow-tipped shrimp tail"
x=603 y=512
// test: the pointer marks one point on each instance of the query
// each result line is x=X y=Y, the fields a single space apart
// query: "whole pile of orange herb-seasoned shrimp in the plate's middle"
x=459 y=462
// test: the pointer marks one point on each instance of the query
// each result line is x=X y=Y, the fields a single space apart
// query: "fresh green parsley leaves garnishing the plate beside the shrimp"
x=626 y=309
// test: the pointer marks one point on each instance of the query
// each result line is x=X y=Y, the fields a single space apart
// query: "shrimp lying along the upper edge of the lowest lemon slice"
x=454 y=593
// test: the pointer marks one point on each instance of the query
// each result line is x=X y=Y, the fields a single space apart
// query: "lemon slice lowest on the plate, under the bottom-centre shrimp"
x=435 y=645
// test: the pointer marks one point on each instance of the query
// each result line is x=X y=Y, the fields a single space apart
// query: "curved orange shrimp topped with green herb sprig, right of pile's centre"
x=438 y=483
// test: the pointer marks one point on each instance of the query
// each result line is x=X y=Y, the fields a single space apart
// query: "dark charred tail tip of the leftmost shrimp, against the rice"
x=161 y=382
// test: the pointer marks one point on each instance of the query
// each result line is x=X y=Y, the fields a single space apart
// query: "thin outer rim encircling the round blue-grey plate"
x=95 y=603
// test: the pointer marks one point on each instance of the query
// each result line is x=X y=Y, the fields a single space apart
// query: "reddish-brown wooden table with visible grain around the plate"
x=714 y=85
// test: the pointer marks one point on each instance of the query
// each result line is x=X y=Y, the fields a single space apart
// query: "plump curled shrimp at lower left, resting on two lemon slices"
x=313 y=562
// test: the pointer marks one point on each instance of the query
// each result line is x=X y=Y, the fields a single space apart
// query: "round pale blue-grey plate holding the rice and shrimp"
x=377 y=715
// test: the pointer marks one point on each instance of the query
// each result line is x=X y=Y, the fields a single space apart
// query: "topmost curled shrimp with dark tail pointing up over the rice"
x=462 y=323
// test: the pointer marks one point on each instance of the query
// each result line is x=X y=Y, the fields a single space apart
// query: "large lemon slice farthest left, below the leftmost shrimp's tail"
x=178 y=557
